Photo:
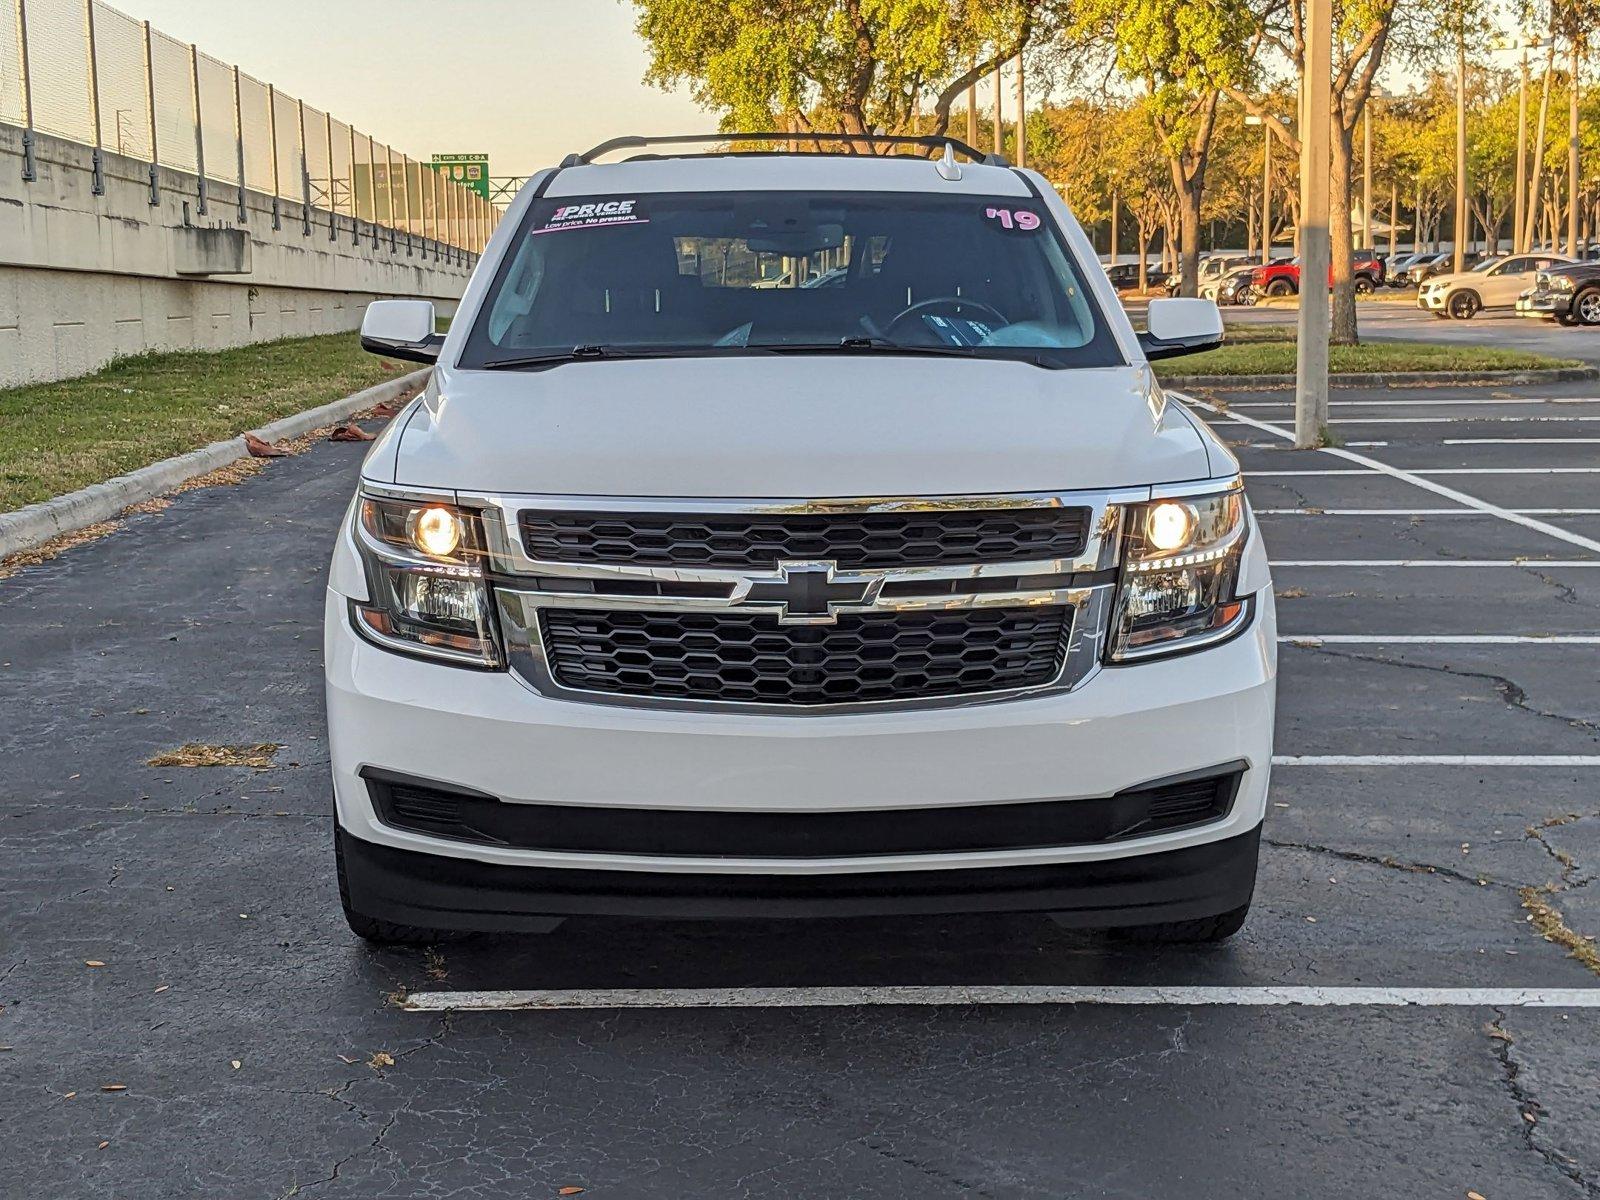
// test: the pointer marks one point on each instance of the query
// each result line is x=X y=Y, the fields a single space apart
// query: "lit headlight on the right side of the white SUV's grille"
x=1180 y=575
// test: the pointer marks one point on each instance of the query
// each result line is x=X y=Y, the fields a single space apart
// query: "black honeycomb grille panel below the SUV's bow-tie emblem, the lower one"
x=753 y=660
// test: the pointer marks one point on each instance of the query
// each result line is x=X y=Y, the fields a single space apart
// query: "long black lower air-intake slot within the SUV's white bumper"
x=582 y=830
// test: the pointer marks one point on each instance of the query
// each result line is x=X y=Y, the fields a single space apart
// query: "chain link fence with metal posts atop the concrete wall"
x=81 y=70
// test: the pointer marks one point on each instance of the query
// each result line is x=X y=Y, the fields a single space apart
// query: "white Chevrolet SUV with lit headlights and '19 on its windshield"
x=684 y=596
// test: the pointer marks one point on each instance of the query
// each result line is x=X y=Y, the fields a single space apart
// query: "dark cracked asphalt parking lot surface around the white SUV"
x=1436 y=802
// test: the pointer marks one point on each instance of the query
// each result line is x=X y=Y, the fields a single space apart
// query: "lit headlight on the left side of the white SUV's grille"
x=425 y=572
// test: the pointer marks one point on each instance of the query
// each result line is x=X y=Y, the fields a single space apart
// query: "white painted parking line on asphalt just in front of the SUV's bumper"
x=1001 y=994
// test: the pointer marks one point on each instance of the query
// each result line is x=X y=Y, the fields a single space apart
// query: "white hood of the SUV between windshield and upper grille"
x=793 y=428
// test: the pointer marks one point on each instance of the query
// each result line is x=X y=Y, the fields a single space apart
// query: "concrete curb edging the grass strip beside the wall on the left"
x=38 y=524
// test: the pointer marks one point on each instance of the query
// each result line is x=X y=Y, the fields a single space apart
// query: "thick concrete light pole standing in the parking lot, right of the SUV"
x=1311 y=375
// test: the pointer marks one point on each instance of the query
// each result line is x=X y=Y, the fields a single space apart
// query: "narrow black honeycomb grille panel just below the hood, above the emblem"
x=852 y=540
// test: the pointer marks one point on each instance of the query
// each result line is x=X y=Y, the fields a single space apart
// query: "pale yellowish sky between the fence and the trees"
x=521 y=81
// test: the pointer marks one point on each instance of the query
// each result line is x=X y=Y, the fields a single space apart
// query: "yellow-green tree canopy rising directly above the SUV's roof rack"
x=838 y=66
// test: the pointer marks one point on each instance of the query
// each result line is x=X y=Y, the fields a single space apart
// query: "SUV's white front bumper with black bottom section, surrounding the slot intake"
x=489 y=734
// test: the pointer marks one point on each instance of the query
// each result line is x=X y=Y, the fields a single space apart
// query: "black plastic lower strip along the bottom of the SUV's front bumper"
x=452 y=894
